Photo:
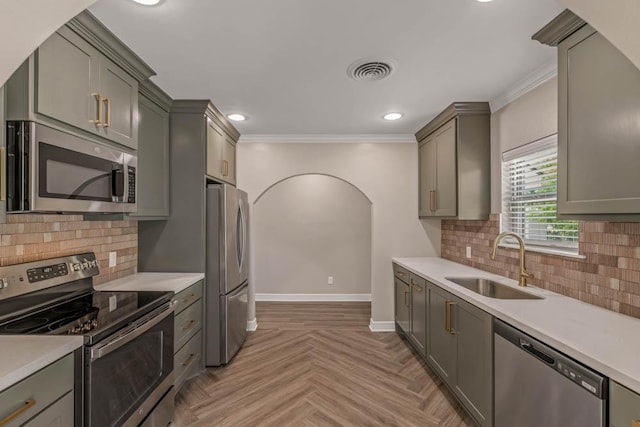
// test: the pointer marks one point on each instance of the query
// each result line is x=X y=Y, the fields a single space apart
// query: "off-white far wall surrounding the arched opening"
x=387 y=173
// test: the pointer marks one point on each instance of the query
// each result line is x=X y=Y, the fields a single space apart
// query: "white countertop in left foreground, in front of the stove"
x=23 y=355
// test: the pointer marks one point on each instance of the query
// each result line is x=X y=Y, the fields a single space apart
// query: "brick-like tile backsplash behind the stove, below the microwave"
x=30 y=237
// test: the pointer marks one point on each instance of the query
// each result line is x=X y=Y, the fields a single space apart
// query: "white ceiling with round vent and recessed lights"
x=283 y=63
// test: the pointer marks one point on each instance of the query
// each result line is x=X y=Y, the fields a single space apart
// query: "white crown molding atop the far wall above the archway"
x=328 y=139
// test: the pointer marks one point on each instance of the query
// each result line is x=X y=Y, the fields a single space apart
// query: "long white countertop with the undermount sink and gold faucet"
x=606 y=341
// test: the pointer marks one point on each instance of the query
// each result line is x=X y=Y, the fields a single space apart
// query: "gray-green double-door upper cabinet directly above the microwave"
x=81 y=79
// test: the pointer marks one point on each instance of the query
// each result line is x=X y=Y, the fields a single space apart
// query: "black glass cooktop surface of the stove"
x=93 y=315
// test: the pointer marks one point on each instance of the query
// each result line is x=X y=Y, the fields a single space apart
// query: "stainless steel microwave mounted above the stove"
x=49 y=170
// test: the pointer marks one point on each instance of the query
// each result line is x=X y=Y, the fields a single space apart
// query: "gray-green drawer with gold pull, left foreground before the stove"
x=40 y=389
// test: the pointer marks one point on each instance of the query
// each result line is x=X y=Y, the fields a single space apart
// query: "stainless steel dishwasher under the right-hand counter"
x=537 y=386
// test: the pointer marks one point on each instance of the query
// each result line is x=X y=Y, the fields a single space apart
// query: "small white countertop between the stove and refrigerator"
x=173 y=282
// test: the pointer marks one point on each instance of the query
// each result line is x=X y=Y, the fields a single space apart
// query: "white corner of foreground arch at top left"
x=25 y=24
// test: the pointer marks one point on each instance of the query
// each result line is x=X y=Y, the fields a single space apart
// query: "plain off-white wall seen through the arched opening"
x=308 y=228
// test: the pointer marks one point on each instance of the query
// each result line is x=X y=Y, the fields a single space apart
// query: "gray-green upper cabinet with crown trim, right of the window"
x=598 y=104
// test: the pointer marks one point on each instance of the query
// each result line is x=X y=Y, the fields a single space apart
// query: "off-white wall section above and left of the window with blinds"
x=530 y=117
